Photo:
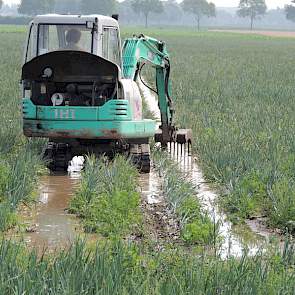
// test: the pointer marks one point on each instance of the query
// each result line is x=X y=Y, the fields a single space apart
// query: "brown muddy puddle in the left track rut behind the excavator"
x=53 y=227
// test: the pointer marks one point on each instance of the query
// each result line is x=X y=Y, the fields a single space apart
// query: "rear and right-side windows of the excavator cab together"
x=45 y=38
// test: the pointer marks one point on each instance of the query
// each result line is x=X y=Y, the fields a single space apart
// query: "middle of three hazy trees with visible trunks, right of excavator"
x=199 y=8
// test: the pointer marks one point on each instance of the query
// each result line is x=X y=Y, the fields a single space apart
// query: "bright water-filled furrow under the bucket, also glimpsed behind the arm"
x=235 y=240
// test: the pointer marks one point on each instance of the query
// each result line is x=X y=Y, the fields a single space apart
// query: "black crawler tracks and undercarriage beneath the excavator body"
x=58 y=154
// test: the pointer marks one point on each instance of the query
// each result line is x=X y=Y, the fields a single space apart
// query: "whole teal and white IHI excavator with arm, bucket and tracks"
x=80 y=91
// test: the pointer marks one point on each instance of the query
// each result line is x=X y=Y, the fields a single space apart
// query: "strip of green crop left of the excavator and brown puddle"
x=19 y=160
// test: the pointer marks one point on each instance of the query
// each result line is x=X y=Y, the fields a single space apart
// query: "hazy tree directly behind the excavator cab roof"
x=105 y=7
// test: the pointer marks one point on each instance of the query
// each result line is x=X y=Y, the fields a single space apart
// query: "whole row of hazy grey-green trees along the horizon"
x=251 y=9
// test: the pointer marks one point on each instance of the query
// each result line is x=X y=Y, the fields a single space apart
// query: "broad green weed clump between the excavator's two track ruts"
x=107 y=198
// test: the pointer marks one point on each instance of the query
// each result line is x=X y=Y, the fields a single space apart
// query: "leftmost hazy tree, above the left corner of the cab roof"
x=33 y=7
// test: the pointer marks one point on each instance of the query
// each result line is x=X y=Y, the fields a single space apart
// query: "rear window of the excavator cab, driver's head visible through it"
x=64 y=37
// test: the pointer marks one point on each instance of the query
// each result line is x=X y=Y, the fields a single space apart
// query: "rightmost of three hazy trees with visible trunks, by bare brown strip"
x=252 y=9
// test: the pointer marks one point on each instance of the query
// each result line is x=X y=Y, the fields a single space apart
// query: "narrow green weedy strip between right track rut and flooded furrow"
x=196 y=226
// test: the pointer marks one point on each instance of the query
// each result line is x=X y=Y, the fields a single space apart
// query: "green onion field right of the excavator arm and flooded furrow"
x=237 y=94
